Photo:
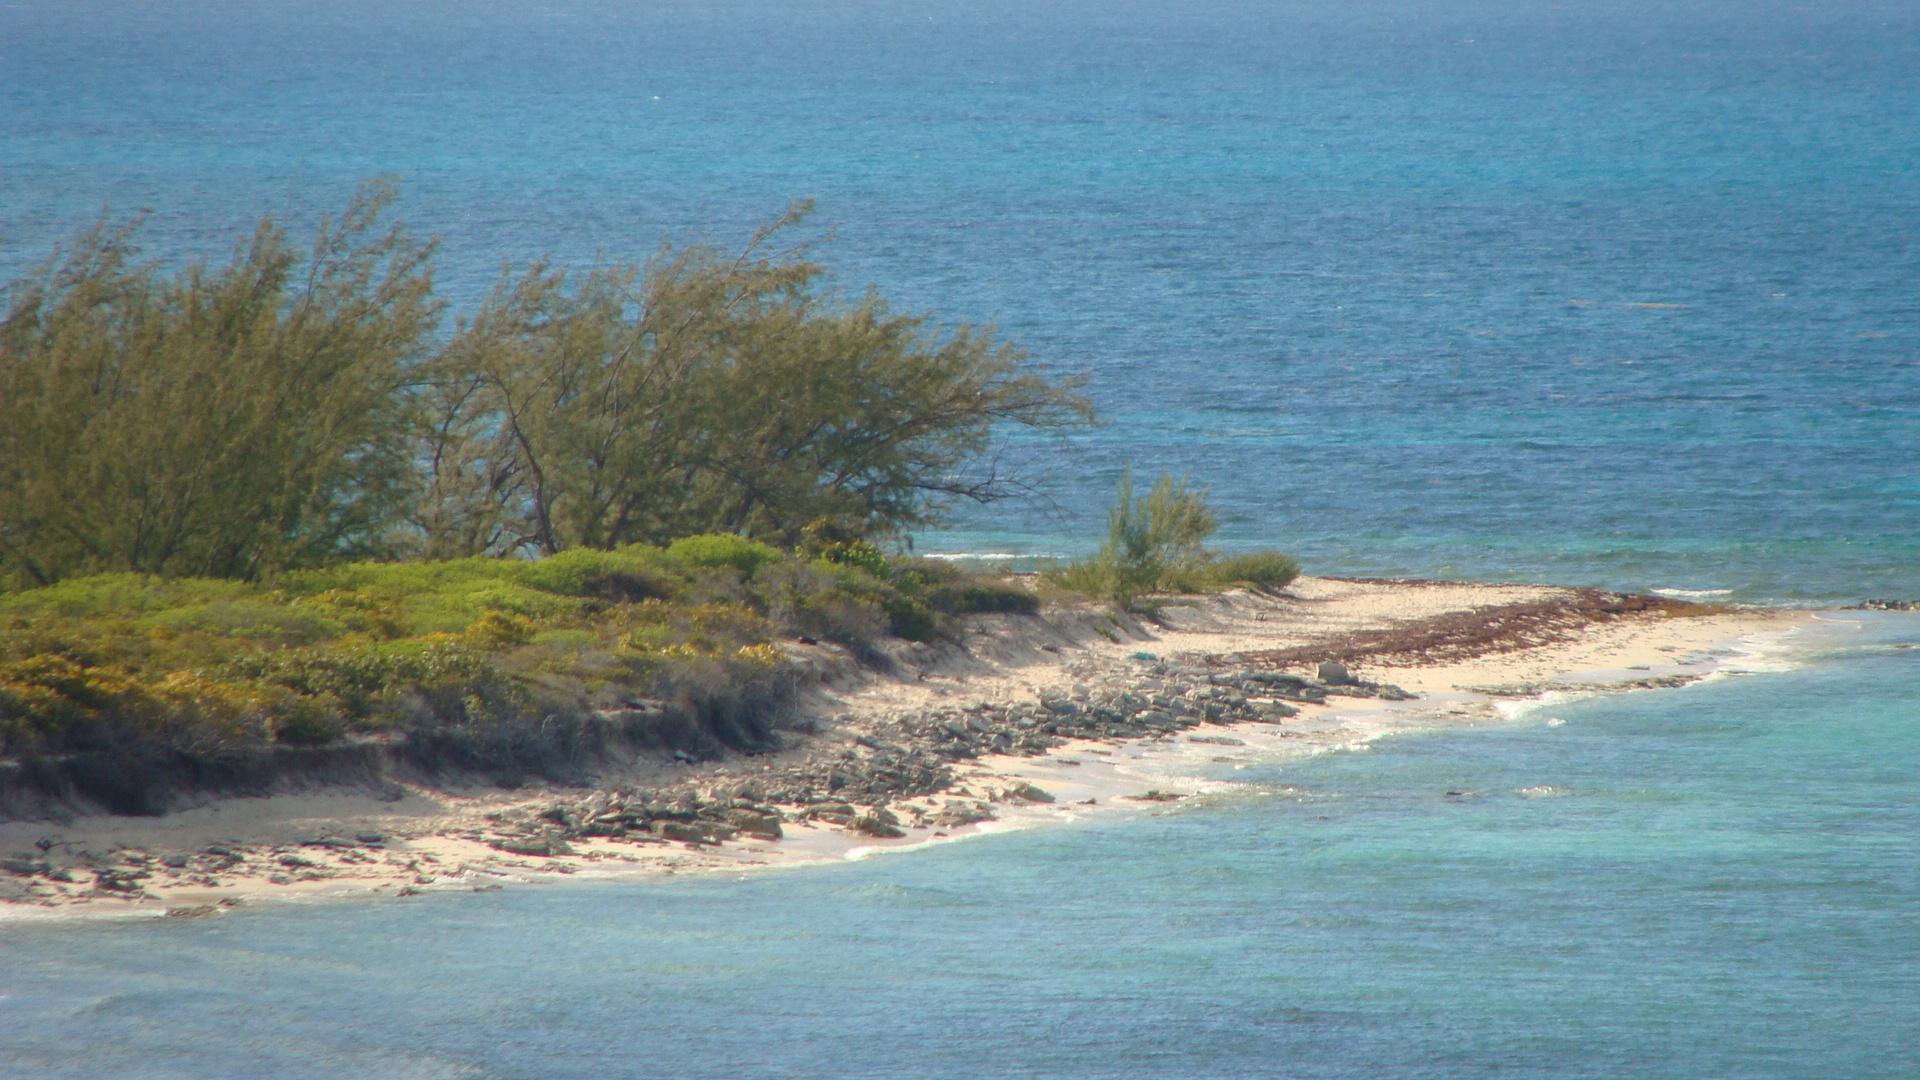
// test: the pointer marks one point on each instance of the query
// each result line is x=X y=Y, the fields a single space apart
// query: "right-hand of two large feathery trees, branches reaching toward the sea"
x=711 y=393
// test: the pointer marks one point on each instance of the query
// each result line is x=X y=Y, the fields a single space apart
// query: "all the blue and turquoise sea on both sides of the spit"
x=1612 y=293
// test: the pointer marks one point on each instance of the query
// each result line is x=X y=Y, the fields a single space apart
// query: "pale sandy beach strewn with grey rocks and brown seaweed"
x=1216 y=681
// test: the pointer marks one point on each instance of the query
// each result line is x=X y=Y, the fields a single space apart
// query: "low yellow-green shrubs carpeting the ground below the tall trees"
x=468 y=647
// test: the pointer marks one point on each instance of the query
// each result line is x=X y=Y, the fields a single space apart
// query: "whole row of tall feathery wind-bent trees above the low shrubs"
x=293 y=412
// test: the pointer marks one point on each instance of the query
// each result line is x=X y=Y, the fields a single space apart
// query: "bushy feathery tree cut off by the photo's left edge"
x=212 y=422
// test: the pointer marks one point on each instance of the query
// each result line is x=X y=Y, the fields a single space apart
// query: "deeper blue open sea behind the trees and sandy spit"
x=1610 y=293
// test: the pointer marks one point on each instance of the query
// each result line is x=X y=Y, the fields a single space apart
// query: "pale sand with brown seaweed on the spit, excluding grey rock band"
x=1470 y=654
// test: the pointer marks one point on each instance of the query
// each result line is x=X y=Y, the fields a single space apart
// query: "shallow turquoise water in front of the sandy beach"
x=1719 y=881
